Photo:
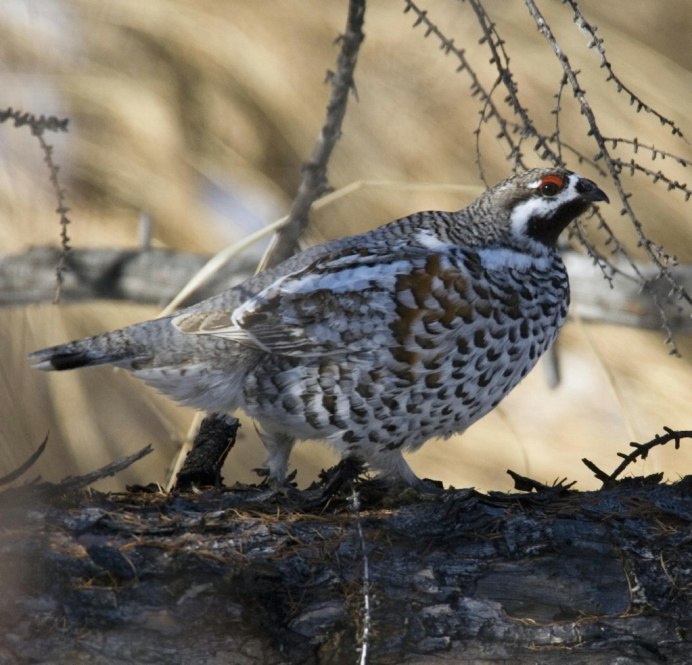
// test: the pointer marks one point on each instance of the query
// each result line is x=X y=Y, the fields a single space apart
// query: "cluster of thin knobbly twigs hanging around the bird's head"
x=551 y=148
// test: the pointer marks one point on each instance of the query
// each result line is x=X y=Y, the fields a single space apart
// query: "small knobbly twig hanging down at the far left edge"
x=38 y=127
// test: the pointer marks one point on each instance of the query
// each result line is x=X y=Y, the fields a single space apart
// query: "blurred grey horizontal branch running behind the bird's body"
x=155 y=276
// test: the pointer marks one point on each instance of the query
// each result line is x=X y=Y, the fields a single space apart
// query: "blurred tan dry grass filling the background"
x=201 y=112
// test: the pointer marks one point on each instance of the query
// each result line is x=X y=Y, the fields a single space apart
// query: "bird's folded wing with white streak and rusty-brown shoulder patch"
x=348 y=301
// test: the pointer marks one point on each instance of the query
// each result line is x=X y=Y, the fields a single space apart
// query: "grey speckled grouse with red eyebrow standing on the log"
x=376 y=342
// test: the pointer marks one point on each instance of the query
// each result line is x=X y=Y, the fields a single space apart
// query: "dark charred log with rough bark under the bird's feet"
x=242 y=575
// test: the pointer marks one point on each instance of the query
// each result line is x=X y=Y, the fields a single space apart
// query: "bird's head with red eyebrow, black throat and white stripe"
x=538 y=204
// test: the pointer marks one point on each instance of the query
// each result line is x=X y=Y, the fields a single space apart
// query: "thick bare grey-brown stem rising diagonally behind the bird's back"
x=314 y=181
